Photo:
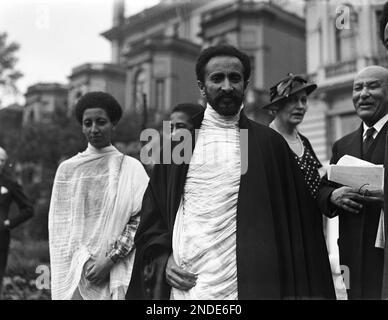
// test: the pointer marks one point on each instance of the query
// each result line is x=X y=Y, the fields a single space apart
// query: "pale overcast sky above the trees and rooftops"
x=57 y=35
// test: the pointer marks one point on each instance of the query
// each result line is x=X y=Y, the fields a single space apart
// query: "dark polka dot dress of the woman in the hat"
x=309 y=166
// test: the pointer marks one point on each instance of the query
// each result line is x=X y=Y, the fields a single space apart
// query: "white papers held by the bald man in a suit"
x=357 y=174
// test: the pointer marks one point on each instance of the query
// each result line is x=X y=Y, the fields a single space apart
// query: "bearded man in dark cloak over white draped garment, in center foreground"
x=236 y=221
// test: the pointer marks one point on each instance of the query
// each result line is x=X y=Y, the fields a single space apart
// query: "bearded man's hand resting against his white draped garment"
x=179 y=278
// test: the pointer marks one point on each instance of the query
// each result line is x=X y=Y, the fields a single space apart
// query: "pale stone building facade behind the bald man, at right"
x=342 y=38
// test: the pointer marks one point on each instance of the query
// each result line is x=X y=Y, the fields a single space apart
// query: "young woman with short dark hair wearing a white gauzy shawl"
x=94 y=208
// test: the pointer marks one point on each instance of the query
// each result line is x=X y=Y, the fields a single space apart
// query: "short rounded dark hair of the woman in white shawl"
x=99 y=99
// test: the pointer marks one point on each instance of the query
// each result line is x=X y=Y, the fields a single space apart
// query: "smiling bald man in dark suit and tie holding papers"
x=360 y=211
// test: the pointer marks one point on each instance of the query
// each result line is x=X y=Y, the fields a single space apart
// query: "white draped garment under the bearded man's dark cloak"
x=204 y=236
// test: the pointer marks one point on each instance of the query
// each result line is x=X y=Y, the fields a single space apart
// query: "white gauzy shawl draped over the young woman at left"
x=95 y=193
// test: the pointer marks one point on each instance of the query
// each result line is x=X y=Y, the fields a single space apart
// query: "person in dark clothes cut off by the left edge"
x=10 y=191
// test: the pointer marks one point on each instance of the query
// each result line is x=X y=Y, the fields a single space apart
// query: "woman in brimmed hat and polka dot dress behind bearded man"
x=289 y=105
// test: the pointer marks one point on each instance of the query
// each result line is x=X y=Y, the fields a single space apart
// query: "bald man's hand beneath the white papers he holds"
x=347 y=199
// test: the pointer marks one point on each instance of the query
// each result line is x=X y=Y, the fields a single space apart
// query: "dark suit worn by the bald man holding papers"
x=357 y=232
